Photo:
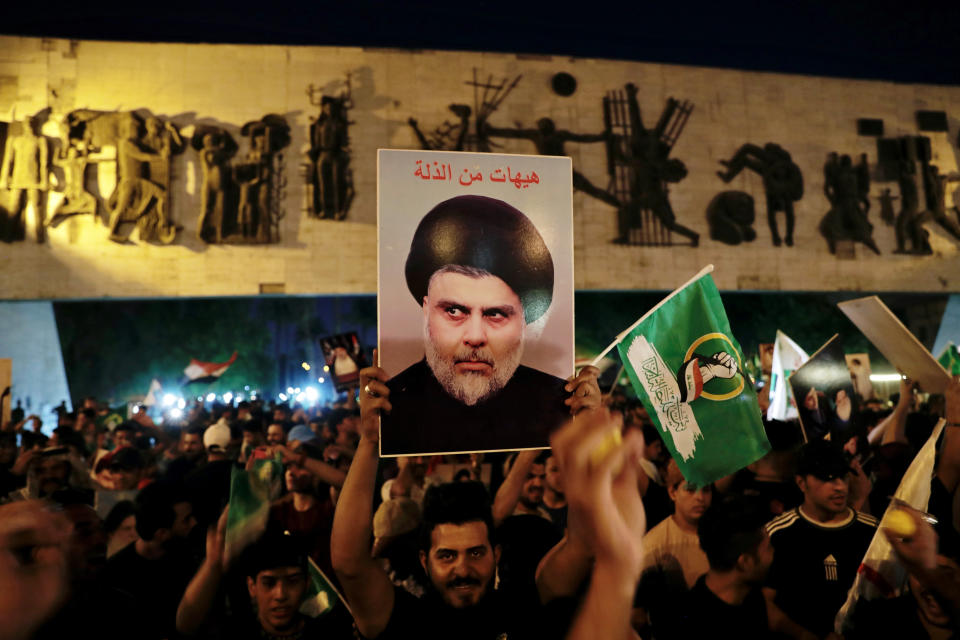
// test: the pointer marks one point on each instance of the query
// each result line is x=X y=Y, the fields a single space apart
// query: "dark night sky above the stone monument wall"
x=915 y=41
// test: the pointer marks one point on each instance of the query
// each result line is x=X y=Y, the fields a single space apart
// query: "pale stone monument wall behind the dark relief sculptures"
x=197 y=88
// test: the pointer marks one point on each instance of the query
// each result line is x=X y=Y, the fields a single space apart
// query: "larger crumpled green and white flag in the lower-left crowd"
x=251 y=493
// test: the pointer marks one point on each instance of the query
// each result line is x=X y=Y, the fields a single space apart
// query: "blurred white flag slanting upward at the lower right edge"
x=881 y=575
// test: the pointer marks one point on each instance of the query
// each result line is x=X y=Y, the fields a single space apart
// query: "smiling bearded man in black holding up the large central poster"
x=458 y=550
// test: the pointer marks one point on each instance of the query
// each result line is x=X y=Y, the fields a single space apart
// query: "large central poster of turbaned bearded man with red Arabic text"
x=475 y=299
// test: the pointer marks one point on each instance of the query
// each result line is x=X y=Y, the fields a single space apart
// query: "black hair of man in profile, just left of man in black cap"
x=730 y=528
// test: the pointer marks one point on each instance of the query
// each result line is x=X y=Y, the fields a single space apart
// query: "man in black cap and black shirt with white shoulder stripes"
x=818 y=546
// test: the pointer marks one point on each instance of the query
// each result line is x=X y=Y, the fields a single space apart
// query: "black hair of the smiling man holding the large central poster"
x=455 y=503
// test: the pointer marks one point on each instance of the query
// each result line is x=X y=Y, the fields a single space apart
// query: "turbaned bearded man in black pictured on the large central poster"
x=482 y=273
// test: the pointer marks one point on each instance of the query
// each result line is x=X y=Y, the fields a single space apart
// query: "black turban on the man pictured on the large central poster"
x=483 y=233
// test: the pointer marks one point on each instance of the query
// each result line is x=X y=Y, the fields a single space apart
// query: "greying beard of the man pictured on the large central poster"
x=471 y=387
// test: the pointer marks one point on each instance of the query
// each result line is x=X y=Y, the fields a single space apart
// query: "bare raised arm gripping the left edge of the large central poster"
x=366 y=586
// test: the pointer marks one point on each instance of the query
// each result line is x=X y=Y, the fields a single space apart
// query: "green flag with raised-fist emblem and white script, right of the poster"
x=687 y=368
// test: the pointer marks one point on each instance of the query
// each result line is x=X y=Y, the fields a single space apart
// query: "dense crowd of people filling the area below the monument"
x=121 y=532
